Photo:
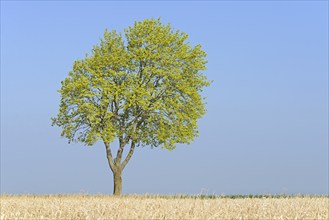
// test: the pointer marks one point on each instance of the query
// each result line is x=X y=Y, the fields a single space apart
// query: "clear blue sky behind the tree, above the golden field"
x=266 y=128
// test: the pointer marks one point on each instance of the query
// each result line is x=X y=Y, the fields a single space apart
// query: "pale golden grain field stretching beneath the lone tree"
x=163 y=207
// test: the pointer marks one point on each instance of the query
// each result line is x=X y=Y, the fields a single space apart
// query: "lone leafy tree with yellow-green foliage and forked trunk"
x=143 y=90
